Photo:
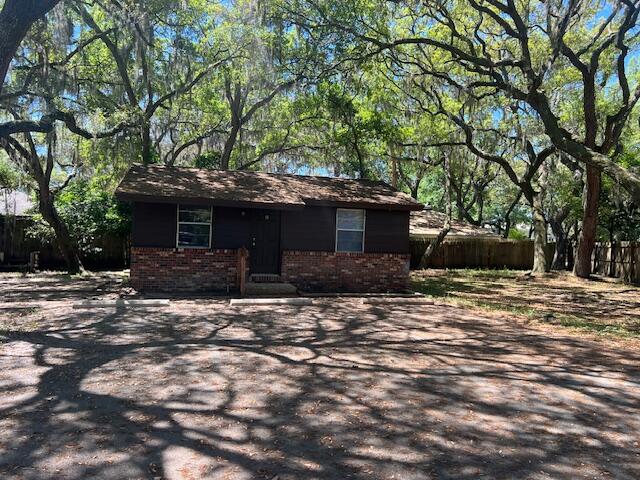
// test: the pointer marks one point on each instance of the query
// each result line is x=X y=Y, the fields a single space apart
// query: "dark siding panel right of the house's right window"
x=386 y=232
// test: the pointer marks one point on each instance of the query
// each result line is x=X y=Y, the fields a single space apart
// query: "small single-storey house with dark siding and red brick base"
x=316 y=233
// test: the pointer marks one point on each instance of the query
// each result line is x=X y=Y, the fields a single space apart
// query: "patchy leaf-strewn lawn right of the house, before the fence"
x=558 y=298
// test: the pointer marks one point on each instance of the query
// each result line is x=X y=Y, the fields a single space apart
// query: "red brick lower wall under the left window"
x=186 y=270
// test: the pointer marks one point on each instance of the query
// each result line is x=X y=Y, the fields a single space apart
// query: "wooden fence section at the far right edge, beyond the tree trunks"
x=618 y=260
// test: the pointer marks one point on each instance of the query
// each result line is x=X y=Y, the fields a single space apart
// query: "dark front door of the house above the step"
x=265 y=242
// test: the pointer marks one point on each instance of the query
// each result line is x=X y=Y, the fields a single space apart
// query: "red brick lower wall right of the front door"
x=346 y=272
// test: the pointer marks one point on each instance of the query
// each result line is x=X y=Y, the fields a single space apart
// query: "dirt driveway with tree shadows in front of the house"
x=337 y=390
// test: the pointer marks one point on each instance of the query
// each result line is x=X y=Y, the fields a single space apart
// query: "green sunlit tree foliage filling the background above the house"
x=346 y=107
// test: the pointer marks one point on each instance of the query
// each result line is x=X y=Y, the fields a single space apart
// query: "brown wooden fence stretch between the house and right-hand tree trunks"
x=477 y=253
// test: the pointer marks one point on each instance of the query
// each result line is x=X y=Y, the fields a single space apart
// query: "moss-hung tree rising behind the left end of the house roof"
x=149 y=65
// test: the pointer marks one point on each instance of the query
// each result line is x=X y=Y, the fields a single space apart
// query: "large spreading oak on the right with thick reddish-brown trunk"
x=523 y=51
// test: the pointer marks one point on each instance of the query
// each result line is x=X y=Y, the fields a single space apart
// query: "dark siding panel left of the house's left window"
x=154 y=225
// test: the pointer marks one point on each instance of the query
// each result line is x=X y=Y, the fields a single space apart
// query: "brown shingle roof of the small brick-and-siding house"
x=159 y=183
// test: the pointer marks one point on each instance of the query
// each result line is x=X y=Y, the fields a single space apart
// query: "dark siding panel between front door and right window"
x=309 y=229
